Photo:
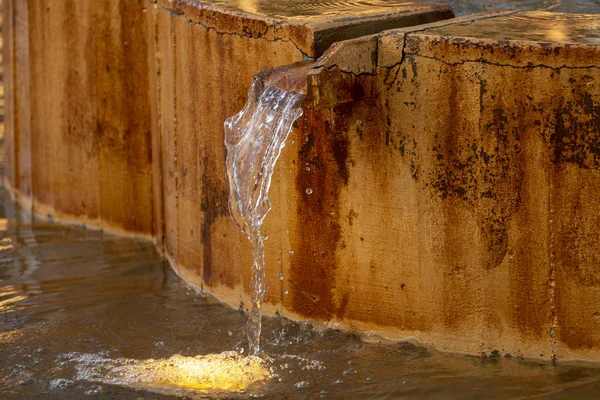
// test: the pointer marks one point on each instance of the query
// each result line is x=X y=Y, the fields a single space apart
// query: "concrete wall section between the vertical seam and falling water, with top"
x=205 y=59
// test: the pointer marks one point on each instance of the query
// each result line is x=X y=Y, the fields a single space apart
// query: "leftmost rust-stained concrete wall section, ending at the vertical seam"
x=79 y=146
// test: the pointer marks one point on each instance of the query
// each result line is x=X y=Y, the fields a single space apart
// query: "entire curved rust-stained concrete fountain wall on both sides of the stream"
x=454 y=167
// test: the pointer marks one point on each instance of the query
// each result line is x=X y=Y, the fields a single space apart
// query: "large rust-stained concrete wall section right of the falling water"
x=455 y=188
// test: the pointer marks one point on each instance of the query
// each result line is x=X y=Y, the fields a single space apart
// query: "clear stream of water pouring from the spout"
x=254 y=138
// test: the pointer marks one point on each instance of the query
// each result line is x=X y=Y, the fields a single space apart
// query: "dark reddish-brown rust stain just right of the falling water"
x=313 y=267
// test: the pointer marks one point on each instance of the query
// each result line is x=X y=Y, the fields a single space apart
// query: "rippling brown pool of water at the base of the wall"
x=85 y=314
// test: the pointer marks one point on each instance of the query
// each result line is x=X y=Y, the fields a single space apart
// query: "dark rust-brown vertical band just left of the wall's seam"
x=125 y=138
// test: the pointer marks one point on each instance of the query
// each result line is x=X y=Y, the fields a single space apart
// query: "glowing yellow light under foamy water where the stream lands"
x=226 y=372
